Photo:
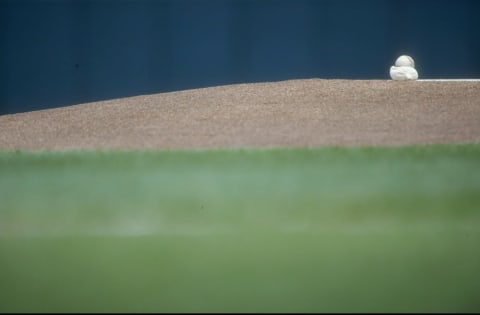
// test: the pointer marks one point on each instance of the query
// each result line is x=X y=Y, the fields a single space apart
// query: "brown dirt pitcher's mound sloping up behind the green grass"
x=294 y=113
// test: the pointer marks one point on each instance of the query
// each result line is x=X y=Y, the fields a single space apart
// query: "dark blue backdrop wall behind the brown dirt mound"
x=63 y=52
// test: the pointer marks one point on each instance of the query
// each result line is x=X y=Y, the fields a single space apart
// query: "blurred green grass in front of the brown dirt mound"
x=368 y=229
